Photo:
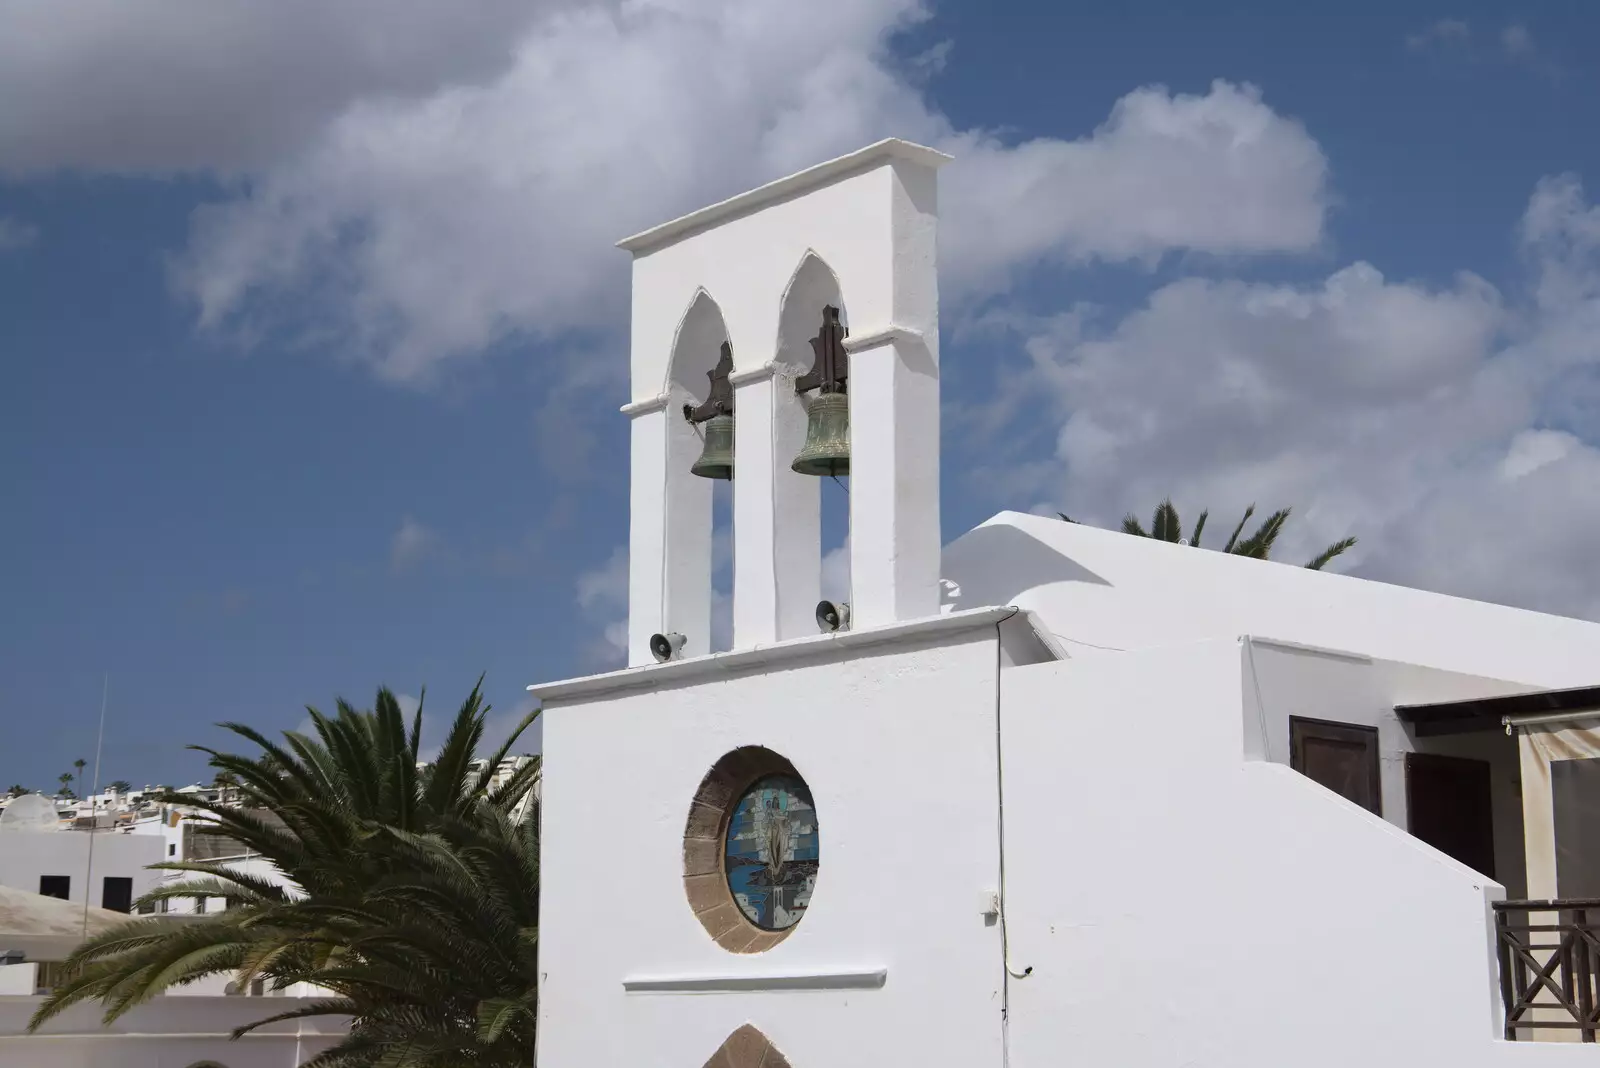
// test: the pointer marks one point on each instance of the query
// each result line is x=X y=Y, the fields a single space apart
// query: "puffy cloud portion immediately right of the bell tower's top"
x=1218 y=173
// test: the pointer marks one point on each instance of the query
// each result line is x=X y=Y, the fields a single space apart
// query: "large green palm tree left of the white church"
x=415 y=903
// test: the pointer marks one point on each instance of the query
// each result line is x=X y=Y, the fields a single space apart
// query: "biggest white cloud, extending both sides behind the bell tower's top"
x=433 y=226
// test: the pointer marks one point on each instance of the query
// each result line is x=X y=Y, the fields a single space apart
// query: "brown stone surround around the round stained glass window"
x=705 y=875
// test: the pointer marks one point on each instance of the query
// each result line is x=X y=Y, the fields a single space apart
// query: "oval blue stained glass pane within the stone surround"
x=772 y=851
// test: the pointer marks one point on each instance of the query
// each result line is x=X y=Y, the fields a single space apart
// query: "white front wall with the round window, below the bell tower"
x=898 y=749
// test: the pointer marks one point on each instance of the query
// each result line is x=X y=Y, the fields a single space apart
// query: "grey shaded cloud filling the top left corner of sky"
x=222 y=84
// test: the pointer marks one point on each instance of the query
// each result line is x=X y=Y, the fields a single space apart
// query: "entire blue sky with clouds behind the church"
x=316 y=335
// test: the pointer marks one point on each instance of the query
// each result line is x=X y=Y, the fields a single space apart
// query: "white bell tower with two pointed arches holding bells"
x=758 y=271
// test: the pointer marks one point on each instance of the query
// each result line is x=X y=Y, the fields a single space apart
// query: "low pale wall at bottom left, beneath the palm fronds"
x=166 y=1034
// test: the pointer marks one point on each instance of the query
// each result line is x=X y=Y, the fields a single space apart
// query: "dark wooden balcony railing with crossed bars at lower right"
x=1550 y=962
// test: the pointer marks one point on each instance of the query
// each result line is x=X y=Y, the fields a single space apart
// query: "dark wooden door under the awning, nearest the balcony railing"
x=1449 y=807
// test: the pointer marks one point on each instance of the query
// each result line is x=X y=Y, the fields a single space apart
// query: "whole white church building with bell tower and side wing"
x=1042 y=795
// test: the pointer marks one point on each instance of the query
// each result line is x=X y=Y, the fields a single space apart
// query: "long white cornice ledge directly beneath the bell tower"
x=812 y=647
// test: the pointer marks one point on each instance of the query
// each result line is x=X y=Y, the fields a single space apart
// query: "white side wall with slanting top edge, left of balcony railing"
x=1180 y=904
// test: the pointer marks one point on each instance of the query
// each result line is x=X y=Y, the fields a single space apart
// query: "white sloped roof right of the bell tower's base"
x=1103 y=592
